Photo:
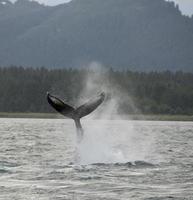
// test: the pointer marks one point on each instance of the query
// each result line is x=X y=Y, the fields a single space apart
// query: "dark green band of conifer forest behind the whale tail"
x=24 y=89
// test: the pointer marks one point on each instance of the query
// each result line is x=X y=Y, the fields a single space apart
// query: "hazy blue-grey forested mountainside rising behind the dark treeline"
x=130 y=34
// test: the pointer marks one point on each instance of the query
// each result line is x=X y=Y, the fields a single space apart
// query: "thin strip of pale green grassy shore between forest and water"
x=124 y=117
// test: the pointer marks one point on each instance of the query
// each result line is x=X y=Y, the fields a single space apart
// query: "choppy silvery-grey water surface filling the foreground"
x=116 y=160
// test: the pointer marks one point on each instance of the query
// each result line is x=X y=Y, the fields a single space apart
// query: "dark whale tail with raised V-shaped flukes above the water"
x=75 y=113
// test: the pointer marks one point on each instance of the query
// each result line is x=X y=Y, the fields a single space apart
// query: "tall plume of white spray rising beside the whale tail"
x=104 y=141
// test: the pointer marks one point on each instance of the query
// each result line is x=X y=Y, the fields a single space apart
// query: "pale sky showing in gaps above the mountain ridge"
x=186 y=6
